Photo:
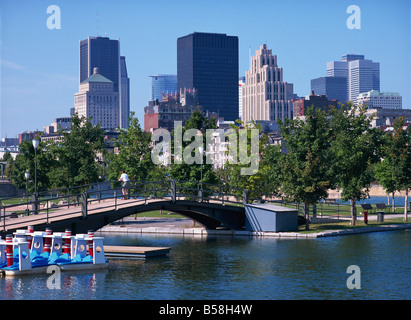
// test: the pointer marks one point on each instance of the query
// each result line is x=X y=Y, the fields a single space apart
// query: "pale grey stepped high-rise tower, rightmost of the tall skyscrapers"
x=362 y=75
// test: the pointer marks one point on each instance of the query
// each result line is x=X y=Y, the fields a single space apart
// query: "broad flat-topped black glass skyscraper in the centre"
x=208 y=62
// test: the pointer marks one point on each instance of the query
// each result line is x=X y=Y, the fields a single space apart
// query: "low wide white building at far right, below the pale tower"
x=384 y=100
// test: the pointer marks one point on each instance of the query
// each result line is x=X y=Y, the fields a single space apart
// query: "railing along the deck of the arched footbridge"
x=78 y=199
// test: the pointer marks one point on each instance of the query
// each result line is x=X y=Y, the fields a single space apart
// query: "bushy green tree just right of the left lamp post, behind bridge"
x=77 y=155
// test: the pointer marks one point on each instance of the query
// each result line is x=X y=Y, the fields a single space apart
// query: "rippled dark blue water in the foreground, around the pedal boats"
x=238 y=268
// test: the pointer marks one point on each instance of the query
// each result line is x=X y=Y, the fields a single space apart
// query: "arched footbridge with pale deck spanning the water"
x=211 y=207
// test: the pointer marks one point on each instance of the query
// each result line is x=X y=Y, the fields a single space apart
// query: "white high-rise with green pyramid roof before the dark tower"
x=97 y=99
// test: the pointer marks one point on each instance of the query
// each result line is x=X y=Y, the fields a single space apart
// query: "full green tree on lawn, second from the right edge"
x=355 y=151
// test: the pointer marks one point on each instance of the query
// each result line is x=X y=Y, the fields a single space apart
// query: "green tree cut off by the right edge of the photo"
x=394 y=171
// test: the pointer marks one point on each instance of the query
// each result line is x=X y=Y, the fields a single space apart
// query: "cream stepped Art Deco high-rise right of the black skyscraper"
x=265 y=94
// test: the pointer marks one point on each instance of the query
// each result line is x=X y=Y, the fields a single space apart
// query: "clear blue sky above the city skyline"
x=40 y=67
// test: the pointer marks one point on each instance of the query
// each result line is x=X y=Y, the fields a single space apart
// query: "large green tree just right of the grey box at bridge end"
x=305 y=168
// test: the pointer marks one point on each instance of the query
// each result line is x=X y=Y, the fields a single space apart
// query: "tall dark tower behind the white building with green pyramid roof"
x=104 y=53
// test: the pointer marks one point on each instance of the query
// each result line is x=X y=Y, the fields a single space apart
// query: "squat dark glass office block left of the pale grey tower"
x=335 y=88
